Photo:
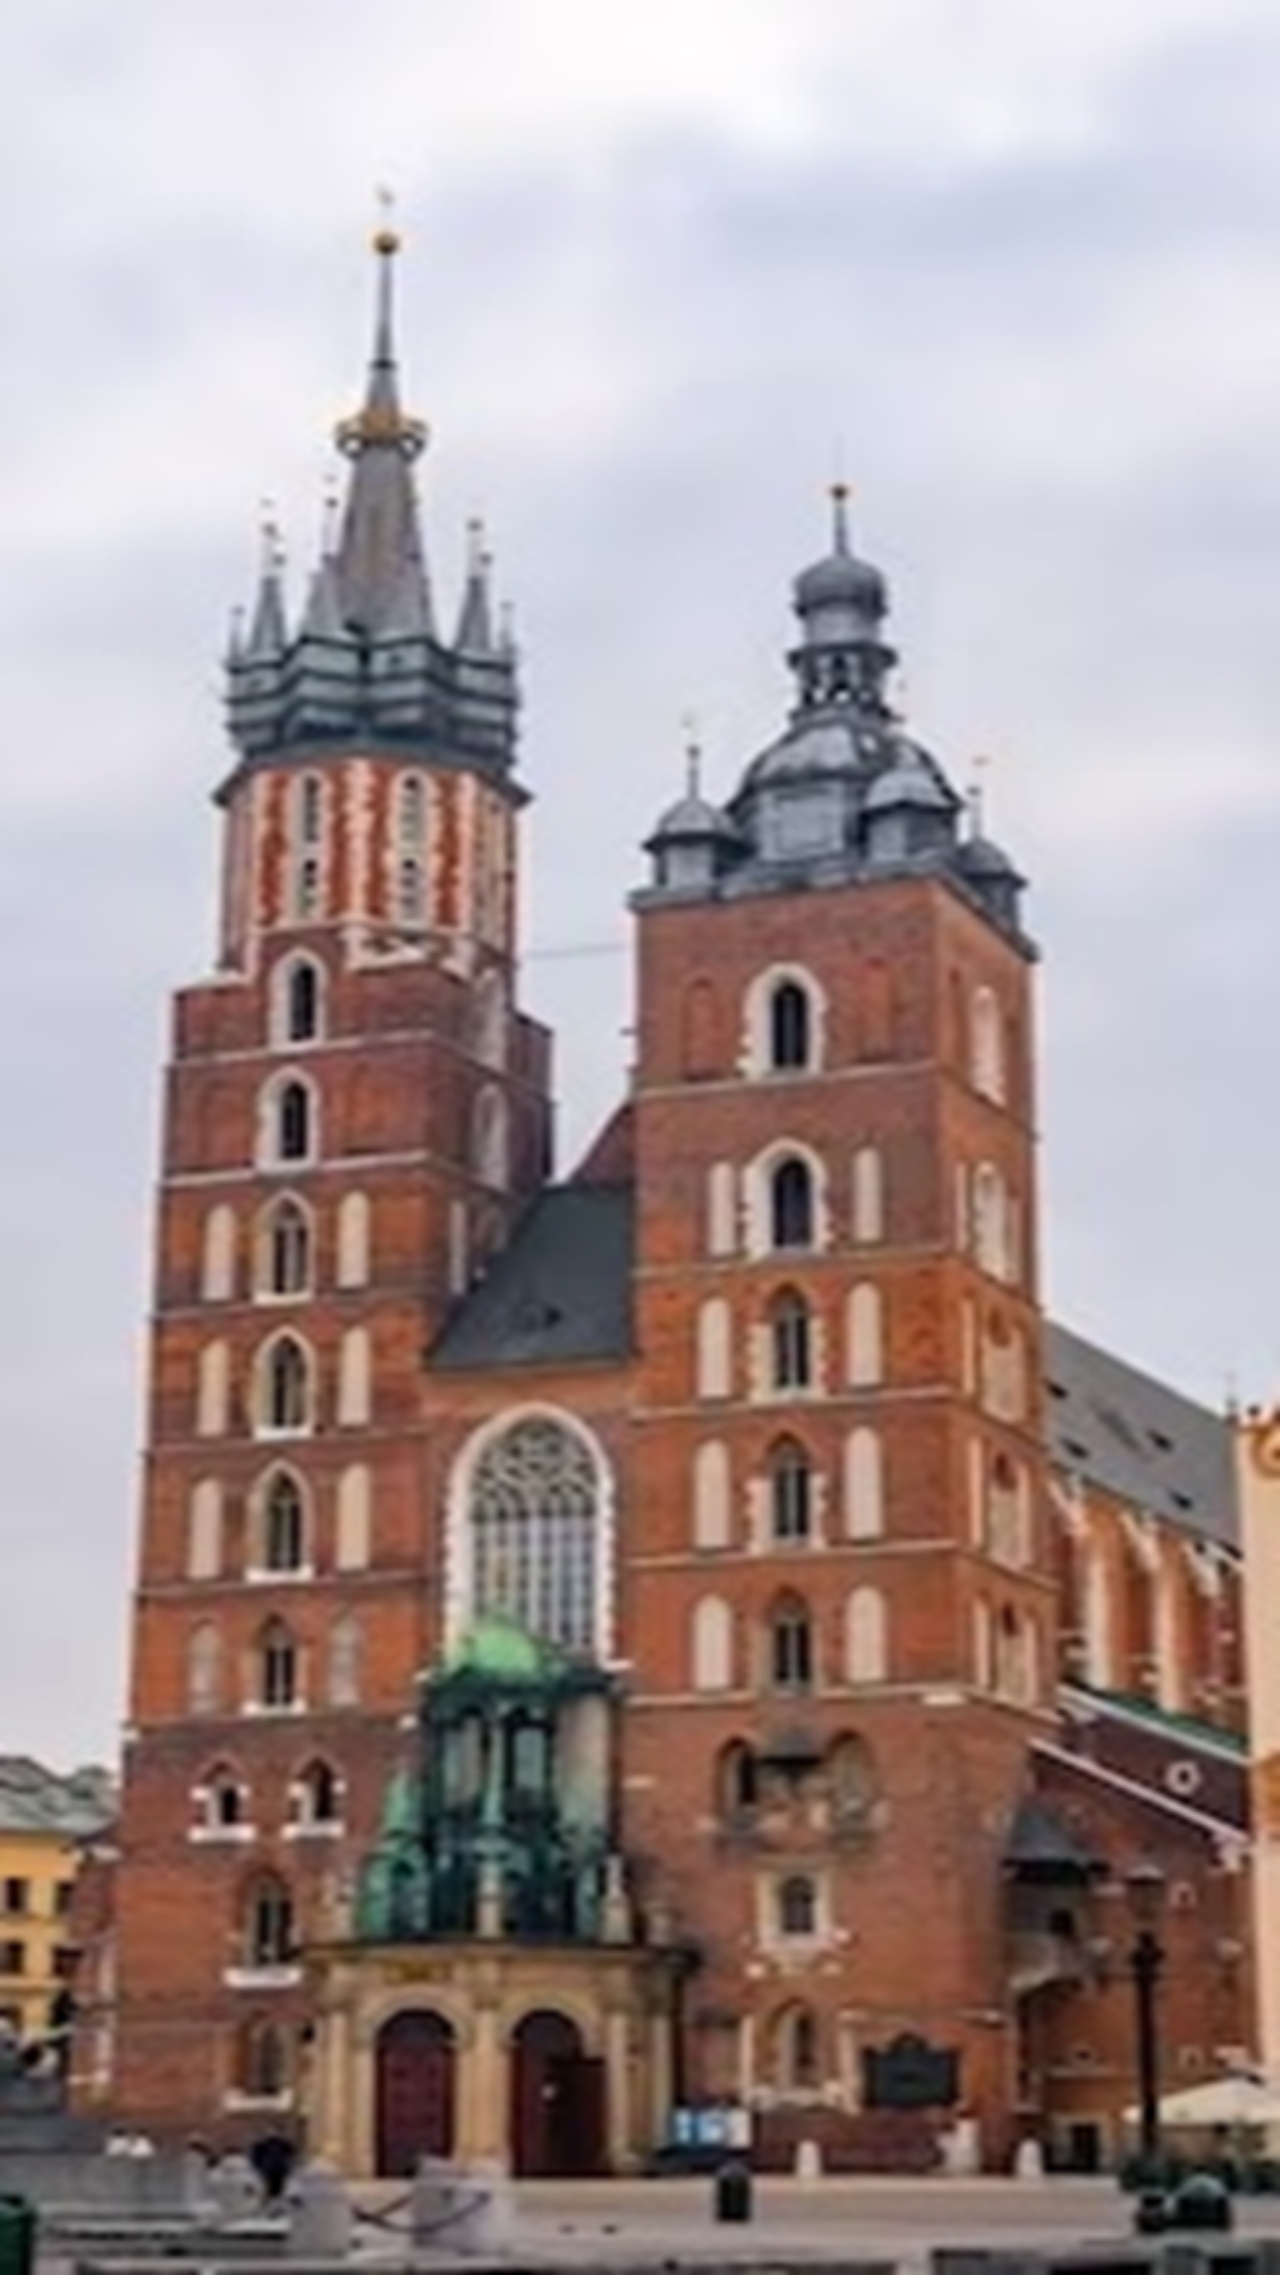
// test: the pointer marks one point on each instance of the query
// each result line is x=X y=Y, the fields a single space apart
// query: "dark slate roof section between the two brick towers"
x=563 y=1289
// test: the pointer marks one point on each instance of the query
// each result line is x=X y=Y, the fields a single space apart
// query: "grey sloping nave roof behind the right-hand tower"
x=1138 y=1439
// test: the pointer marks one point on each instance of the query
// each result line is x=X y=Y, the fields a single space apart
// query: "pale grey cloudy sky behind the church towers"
x=1015 y=267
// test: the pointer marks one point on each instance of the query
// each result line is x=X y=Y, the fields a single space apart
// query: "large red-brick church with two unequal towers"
x=679 y=1651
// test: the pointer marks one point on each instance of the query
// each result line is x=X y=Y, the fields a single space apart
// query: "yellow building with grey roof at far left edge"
x=44 y=1826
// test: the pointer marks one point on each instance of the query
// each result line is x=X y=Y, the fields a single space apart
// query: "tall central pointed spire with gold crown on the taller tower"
x=381 y=552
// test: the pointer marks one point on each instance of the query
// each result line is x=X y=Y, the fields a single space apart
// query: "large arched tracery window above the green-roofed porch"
x=535 y=1532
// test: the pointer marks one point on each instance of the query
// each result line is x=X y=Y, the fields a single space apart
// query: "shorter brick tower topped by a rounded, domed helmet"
x=838 y=1598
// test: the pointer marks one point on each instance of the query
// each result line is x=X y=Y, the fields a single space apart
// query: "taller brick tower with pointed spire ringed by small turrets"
x=354 y=1114
